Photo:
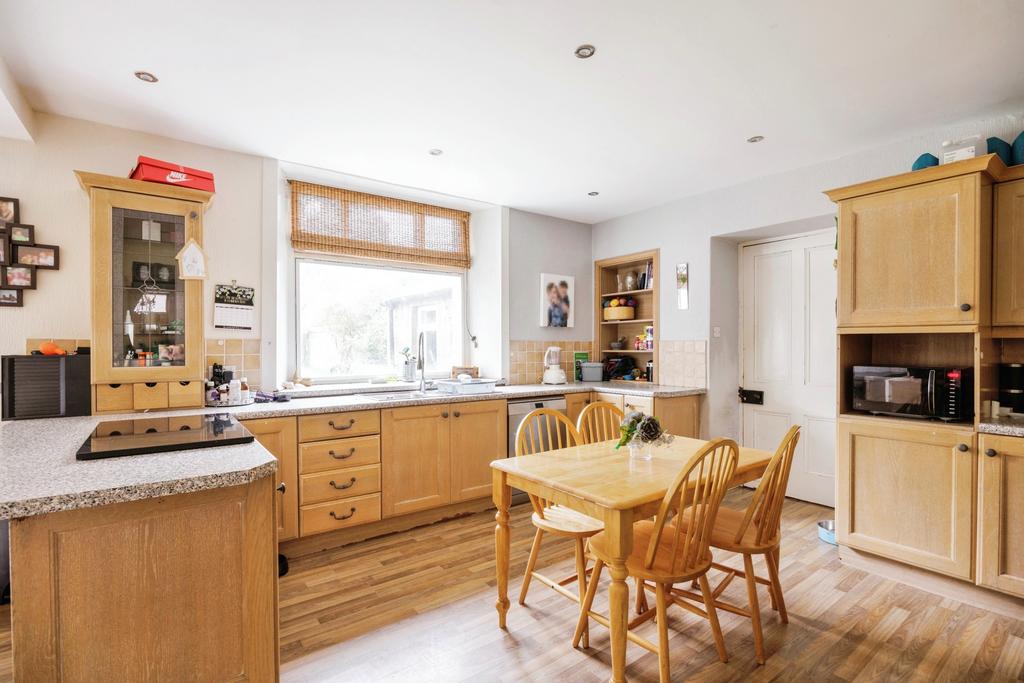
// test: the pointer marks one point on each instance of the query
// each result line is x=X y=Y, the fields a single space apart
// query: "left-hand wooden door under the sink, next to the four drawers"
x=416 y=466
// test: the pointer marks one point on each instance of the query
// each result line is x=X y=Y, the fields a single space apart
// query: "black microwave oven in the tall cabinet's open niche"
x=943 y=394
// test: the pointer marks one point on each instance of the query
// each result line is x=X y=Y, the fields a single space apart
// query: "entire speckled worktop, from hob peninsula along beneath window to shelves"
x=39 y=474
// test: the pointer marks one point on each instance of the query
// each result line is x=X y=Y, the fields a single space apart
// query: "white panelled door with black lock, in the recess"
x=789 y=353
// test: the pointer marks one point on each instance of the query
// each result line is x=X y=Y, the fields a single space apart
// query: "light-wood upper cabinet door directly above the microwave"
x=911 y=257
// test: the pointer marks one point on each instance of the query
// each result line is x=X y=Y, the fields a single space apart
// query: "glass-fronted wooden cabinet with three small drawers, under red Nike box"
x=147 y=322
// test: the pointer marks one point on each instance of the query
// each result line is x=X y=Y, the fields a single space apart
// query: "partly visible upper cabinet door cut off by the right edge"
x=1008 y=281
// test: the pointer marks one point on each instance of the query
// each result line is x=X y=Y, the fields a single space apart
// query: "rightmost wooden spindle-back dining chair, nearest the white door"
x=756 y=531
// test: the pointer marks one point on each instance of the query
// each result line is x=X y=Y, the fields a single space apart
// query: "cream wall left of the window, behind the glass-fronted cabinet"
x=41 y=176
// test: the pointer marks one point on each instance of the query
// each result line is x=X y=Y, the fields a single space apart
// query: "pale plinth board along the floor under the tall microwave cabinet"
x=955 y=589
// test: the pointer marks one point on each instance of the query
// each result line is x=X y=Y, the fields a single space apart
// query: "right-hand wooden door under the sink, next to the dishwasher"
x=480 y=436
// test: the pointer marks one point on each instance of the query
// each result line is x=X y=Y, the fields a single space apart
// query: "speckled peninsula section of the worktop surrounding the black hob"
x=39 y=474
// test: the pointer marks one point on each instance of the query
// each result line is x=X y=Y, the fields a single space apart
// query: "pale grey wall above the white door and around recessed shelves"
x=684 y=230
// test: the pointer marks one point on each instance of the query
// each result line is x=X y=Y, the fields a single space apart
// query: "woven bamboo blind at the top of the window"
x=332 y=221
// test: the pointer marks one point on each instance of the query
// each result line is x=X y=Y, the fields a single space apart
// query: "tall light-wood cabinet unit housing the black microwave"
x=919 y=285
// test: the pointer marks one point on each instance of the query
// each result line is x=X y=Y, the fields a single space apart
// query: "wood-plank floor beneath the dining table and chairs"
x=419 y=607
